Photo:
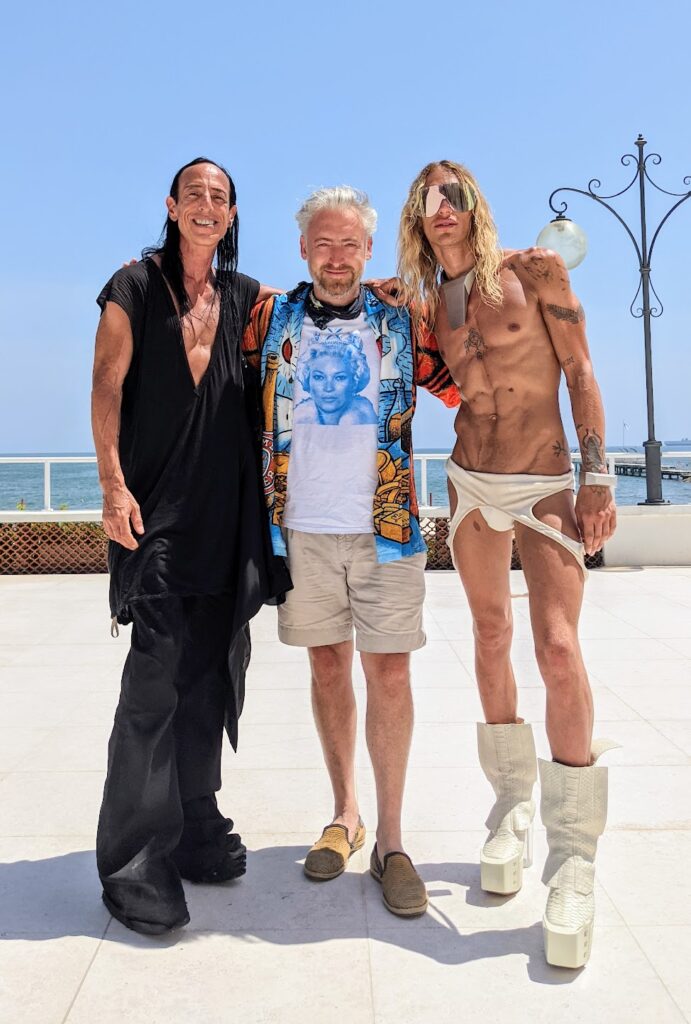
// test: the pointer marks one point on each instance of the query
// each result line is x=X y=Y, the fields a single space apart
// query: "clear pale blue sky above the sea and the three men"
x=102 y=104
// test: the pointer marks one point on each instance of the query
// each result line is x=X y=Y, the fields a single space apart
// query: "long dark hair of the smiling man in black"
x=168 y=246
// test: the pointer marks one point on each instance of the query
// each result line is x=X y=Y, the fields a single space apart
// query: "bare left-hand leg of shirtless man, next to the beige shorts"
x=484 y=559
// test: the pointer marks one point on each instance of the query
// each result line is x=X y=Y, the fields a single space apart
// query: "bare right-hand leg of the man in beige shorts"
x=390 y=730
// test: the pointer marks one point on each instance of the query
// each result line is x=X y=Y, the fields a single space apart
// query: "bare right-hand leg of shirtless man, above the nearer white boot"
x=556 y=589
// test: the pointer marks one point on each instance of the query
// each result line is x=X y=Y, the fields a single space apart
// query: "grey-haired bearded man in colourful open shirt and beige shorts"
x=339 y=373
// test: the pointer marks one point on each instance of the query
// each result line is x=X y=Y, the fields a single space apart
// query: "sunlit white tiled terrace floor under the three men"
x=276 y=949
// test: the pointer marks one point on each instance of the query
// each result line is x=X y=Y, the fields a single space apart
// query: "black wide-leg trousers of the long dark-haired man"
x=165 y=750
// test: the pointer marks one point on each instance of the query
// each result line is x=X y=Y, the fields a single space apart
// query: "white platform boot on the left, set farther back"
x=508 y=759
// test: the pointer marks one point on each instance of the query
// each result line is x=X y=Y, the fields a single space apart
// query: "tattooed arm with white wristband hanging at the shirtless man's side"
x=566 y=321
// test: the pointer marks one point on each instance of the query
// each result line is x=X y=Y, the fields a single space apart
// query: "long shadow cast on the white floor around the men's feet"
x=274 y=904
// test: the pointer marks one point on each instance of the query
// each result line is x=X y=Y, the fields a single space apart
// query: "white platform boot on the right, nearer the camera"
x=574 y=807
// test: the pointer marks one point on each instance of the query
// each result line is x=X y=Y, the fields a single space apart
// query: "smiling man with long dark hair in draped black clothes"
x=176 y=416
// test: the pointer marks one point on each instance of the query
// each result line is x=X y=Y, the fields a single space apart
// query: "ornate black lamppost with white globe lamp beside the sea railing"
x=568 y=239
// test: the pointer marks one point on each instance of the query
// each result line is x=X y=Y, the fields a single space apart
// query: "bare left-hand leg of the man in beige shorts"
x=335 y=715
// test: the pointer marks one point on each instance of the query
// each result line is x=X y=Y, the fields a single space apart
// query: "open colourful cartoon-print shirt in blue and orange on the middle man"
x=410 y=358
